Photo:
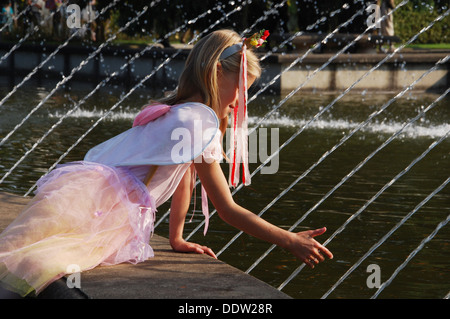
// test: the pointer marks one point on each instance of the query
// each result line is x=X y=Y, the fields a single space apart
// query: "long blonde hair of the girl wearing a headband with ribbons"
x=200 y=73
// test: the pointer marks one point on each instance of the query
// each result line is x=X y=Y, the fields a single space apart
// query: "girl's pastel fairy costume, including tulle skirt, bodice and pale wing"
x=98 y=211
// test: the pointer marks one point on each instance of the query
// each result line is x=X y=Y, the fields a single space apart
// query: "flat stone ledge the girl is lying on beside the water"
x=168 y=275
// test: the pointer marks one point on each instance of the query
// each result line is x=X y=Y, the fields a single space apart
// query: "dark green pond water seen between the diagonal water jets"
x=426 y=276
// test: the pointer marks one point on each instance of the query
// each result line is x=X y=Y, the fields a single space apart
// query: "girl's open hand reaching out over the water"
x=307 y=249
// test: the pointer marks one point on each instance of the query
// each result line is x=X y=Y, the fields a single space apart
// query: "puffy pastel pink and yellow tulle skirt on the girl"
x=83 y=215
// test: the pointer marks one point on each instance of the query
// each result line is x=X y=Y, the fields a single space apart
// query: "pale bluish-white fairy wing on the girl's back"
x=178 y=136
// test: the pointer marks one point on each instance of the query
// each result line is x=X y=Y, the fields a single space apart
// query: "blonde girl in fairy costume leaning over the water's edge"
x=101 y=211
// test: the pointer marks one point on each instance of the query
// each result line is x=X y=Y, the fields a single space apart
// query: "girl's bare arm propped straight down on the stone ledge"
x=178 y=210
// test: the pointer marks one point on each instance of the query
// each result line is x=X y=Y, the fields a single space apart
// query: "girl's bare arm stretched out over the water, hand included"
x=302 y=245
